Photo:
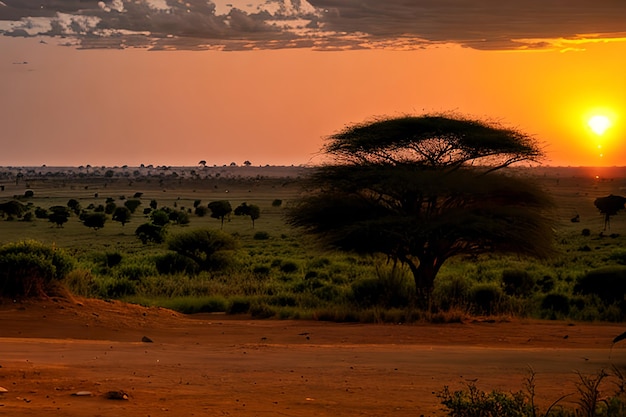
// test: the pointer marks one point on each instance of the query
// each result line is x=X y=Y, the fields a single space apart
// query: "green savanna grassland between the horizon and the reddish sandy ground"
x=276 y=271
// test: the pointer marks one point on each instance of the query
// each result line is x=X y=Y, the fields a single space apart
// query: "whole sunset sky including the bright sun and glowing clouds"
x=87 y=97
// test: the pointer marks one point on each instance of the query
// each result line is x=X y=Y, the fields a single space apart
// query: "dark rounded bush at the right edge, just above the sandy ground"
x=608 y=283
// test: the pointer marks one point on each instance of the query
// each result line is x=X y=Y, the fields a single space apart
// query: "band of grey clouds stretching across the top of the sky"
x=318 y=24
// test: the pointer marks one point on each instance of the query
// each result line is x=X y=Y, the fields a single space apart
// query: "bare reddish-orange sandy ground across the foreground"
x=214 y=365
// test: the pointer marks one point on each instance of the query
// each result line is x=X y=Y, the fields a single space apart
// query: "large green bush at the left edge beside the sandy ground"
x=31 y=268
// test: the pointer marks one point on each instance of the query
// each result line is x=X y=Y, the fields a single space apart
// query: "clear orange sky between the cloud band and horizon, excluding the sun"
x=67 y=106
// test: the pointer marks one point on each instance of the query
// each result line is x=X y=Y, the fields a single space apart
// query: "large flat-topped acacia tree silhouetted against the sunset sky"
x=424 y=189
